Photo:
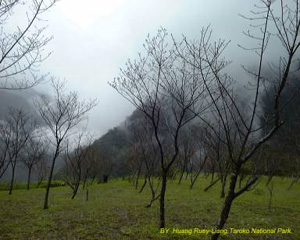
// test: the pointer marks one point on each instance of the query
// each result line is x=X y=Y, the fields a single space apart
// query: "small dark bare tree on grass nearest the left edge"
x=15 y=131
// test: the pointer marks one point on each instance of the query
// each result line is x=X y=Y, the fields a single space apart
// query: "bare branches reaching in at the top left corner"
x=21 y=46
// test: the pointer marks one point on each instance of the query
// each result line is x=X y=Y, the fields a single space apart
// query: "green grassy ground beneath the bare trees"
x=117 y=211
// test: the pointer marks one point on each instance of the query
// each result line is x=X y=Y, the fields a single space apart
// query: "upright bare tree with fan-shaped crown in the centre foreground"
x=168 y=92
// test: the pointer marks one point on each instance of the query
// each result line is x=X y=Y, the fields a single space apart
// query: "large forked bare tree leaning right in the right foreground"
x=240 y=131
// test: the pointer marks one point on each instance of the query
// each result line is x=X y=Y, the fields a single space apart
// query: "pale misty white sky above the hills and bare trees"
x=94 y=38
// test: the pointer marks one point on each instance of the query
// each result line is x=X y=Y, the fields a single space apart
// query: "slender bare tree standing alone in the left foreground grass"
x=61 y=115
